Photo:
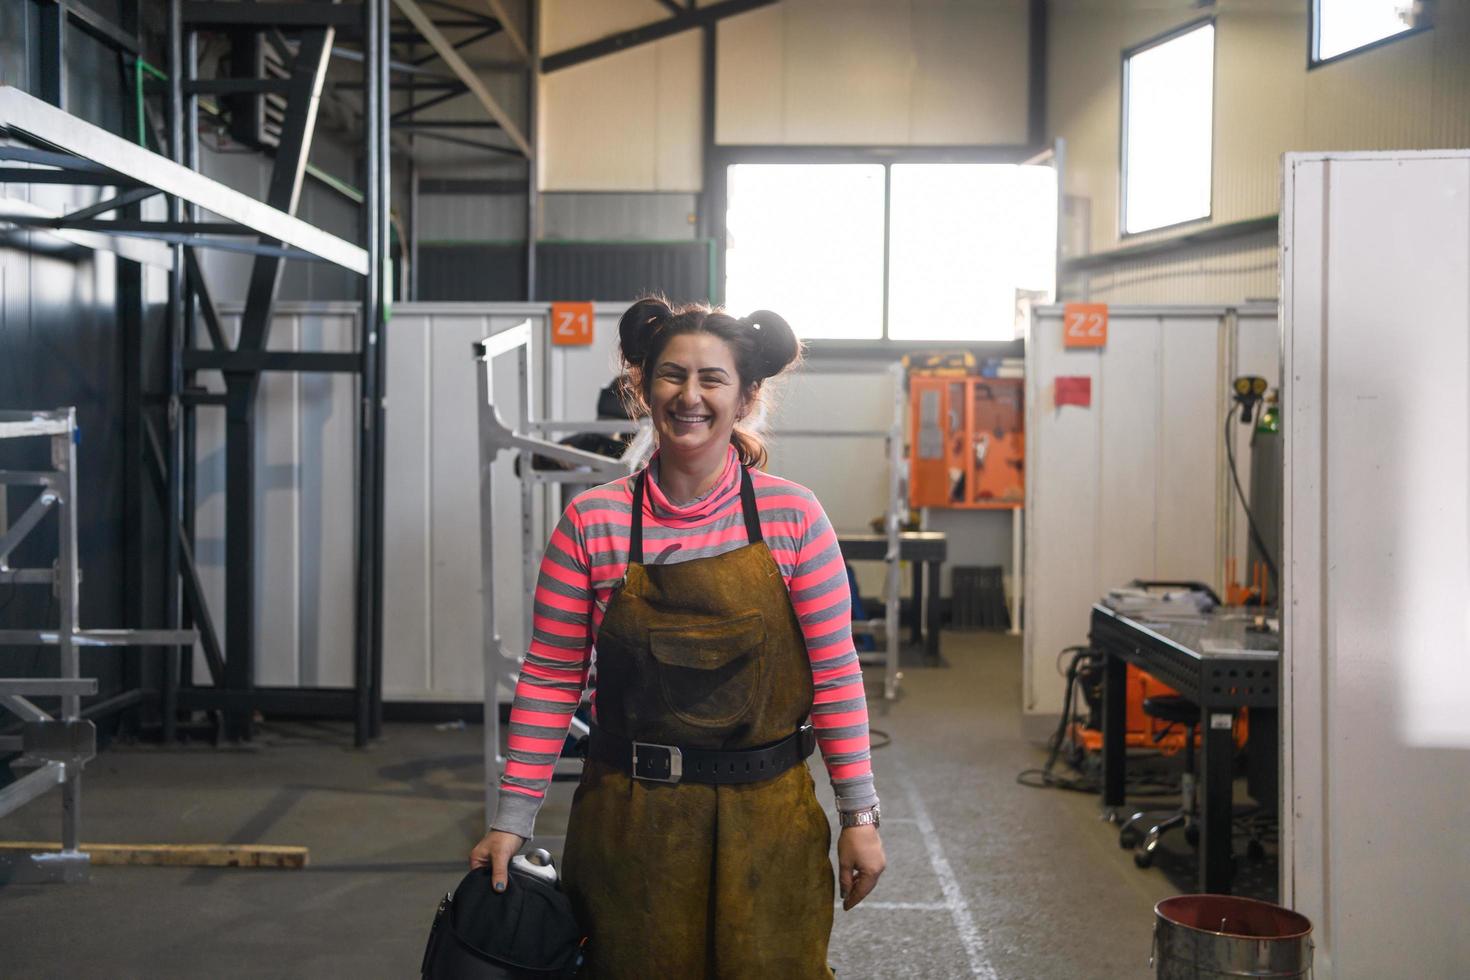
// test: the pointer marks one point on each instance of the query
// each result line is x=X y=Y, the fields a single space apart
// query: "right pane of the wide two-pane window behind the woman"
x=965 y=240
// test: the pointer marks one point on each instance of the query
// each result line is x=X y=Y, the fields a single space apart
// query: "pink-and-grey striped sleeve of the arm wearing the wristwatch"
x=824 y=605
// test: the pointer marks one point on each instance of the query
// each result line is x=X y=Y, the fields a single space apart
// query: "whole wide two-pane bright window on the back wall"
x=964 y=245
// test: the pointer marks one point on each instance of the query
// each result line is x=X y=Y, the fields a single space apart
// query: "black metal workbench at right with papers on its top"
x=1219 y=665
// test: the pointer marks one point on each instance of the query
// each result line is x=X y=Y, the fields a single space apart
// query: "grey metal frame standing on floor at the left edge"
x=62 y=744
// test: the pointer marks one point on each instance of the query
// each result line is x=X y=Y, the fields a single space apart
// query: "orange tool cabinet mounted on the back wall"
x=967 y=443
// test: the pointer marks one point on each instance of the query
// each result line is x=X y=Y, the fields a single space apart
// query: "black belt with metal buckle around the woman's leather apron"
x=678 y=765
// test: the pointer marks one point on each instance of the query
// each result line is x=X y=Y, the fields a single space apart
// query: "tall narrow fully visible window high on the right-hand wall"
x=1168 y=130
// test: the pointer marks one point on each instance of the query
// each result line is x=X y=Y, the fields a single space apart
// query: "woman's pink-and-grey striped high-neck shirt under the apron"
x=587 y=559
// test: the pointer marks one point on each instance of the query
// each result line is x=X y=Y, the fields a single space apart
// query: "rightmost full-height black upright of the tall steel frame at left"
x=368 y=652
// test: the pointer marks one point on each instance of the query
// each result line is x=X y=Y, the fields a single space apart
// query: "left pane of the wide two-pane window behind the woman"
x=808 y=242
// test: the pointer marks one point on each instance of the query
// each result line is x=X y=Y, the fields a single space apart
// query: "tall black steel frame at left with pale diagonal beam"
x=57 y=148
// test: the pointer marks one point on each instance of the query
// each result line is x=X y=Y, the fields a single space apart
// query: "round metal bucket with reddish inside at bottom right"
x=1216 y=937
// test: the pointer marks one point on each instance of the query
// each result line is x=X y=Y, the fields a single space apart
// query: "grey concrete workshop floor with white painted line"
x=986 y=878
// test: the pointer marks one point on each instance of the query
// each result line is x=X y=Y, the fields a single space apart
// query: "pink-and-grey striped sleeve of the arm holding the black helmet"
x=552 y=678
